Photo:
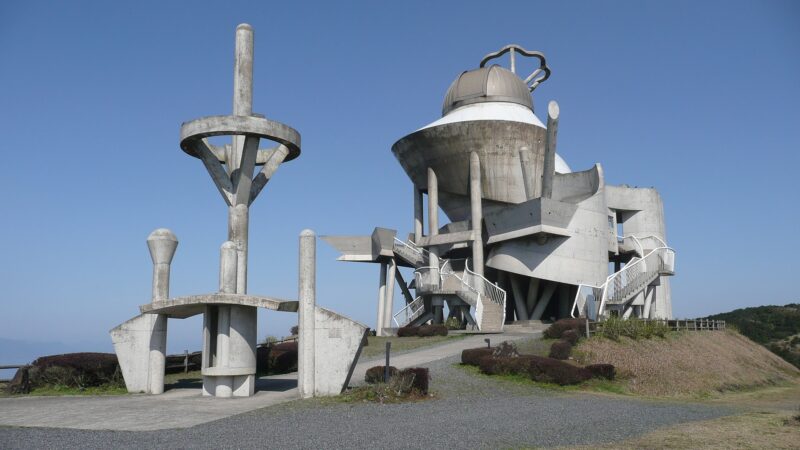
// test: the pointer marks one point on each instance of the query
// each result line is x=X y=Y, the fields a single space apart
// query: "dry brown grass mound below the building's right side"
x=689 y=363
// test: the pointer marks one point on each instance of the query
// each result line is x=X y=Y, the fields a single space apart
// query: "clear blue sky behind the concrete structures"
x=698 y=99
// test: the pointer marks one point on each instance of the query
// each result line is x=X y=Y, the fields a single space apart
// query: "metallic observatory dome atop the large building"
x=487 y=84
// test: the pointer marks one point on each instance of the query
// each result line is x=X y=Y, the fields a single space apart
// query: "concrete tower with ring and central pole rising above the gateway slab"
x=231 y=166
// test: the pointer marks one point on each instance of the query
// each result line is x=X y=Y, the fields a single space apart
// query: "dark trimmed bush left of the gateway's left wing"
x=77 y=370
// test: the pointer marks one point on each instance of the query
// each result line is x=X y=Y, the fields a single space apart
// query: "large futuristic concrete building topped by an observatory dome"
x=527 y=238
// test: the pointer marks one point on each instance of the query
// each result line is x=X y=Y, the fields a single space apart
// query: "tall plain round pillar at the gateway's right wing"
x=307 y=295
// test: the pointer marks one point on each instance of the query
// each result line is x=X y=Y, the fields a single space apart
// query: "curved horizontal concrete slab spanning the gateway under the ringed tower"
x=183 y=307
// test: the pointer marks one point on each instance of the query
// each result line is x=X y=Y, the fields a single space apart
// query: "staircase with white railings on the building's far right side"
x=631 y=280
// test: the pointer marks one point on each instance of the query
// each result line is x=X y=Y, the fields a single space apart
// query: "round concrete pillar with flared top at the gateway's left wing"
x=162 y=244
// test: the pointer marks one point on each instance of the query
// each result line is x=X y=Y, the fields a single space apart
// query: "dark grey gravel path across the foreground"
x=471 y=411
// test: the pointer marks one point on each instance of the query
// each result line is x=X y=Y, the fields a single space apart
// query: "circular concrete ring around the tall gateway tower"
x=239 y=125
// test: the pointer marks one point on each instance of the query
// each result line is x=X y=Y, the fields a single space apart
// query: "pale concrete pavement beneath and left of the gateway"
x=176 y=408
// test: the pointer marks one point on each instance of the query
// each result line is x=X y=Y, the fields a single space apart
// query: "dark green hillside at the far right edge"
x=776 y=327
